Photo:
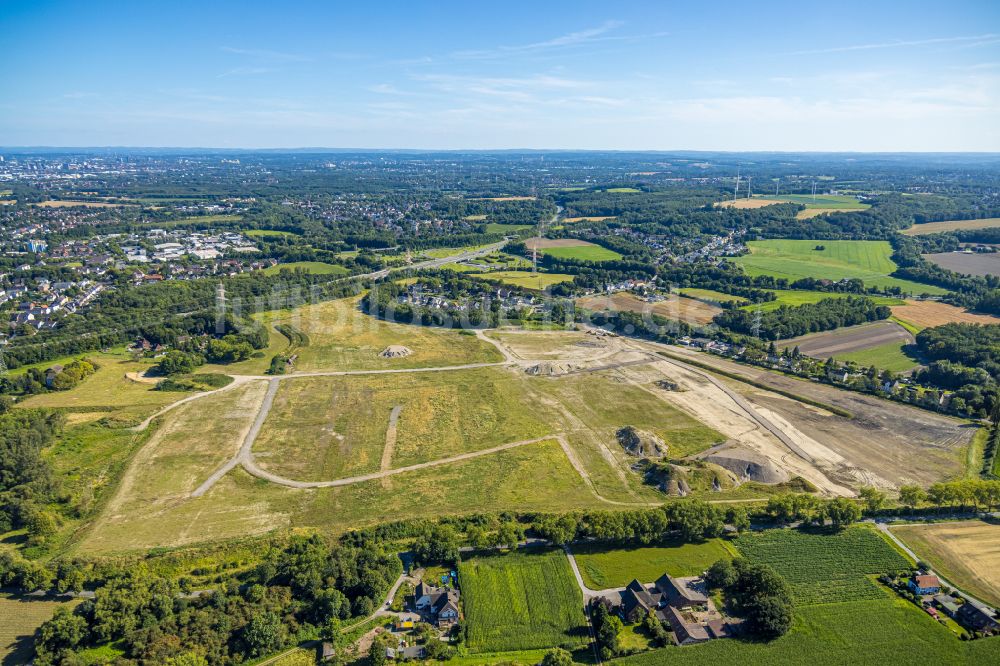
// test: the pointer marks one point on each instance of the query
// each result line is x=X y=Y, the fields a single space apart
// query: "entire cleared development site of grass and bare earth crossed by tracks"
x=525 y=420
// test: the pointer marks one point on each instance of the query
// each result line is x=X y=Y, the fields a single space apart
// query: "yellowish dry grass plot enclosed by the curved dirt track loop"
x=325 y=428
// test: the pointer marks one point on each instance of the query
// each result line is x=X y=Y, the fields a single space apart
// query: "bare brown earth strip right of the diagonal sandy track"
x=880 y=442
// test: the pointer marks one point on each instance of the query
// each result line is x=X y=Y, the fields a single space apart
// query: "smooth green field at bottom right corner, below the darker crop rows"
x=884 y=631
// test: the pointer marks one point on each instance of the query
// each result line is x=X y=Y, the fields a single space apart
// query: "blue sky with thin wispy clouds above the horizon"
x=858 y=76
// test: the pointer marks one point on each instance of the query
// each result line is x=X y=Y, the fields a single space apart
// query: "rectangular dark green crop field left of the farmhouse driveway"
x=522 y=601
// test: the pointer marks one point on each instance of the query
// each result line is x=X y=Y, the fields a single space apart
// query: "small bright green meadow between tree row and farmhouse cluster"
x=603 y=568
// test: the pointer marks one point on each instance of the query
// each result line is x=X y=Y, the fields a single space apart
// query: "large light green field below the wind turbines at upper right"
x=792 y=260
